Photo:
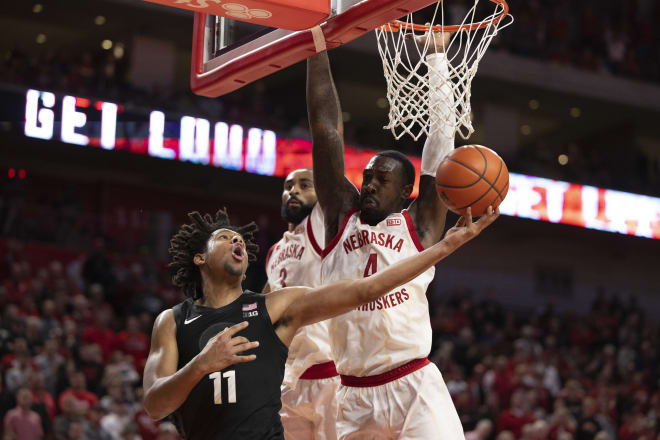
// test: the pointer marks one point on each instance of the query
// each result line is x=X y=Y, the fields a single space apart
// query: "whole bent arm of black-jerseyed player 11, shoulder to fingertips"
x=165 y=388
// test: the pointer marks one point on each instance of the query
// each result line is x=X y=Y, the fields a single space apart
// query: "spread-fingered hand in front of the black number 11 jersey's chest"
x=223 y=349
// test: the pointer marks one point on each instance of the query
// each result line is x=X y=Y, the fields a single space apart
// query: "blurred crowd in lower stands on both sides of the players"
x=74 y=337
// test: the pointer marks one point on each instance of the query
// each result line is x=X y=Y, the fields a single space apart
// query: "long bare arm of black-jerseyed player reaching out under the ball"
x=296 y=307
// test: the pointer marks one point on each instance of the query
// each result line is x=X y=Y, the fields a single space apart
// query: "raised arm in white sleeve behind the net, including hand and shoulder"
x=428 y=212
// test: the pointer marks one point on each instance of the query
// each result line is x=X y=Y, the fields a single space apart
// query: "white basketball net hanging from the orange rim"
x=406 y=74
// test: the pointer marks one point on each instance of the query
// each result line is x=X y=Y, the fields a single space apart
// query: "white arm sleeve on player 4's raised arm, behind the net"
x=442 y=116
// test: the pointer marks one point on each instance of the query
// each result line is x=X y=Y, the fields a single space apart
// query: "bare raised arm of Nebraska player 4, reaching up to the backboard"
x=336 y=194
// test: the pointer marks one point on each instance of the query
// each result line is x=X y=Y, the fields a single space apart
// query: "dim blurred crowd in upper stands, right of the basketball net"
x=618 y=38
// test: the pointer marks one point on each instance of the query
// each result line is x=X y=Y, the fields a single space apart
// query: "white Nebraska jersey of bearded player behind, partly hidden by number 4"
x=295 y=260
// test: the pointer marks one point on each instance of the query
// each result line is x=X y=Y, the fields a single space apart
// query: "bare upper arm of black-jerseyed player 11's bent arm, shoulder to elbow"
x=163 y=354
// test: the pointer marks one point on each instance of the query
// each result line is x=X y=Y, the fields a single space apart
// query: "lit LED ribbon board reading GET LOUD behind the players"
x=83 y=122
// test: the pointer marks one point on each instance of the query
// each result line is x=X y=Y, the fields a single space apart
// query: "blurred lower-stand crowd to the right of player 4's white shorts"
x=546 y=375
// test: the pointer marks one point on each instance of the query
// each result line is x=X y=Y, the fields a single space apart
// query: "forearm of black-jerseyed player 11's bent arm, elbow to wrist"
x=166 y=394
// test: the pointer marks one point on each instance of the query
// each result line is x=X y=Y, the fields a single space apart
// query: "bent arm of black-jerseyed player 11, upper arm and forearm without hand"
x=165 y=388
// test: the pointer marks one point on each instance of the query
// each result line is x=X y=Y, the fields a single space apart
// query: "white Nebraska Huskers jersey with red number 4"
x=394 y=329
